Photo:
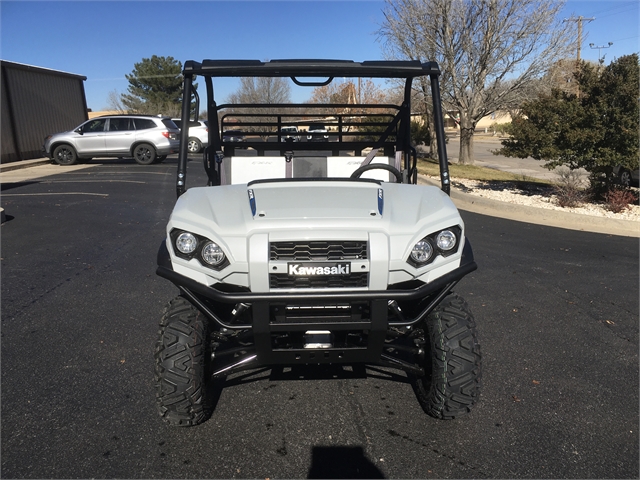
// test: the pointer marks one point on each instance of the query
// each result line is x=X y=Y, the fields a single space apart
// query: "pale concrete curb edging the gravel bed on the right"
x=540 y=216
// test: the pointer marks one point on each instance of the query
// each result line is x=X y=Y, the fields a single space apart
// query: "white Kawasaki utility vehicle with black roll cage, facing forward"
x=307 y=253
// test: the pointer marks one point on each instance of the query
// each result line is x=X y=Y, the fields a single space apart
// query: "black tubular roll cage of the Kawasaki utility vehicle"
x=394 y=136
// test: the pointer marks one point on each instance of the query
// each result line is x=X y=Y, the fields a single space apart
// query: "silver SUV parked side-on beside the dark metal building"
x=148 y=139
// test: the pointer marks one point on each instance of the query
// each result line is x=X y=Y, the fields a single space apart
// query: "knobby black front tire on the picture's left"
x=183 y=358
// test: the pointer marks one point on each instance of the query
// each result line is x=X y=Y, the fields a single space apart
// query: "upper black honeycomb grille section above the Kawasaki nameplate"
x=318 y=250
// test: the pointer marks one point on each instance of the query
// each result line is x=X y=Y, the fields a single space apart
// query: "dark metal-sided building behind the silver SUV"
x=37 y=102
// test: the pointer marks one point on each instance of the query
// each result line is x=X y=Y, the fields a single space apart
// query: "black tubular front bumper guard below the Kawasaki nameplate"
x=267 y=319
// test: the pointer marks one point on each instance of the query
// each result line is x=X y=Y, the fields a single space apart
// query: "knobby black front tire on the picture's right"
x=452 y=361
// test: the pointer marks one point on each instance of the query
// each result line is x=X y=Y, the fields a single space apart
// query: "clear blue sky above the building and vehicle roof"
x=102 y=40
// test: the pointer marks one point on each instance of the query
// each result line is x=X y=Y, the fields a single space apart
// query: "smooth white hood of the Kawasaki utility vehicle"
x=269 y=206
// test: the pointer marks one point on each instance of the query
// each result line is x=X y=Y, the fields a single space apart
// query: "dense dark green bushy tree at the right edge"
x=596 y=130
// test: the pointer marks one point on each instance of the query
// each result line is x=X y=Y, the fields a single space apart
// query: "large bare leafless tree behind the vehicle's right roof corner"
x=491 y=52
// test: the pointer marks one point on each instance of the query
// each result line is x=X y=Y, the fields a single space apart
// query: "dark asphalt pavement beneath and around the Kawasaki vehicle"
x=557 y=313
